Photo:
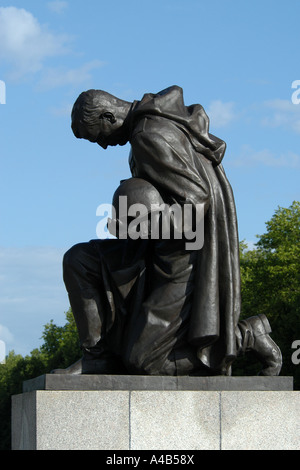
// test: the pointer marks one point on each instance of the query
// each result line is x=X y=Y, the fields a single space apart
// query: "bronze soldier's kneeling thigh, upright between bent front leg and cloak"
x=158 y=343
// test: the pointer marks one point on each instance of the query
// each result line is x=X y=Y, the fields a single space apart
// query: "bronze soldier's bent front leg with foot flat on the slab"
x=83 y=277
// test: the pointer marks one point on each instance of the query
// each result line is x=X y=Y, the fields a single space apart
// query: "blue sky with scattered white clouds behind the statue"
x=238 y=59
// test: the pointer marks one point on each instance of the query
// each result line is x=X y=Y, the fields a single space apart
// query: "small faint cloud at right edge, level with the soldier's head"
x=283 y=113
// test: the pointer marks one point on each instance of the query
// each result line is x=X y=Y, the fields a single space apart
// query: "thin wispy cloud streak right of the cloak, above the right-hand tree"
x=265 y=157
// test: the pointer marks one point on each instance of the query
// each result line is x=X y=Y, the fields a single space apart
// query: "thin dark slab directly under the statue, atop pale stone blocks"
x=137 y=382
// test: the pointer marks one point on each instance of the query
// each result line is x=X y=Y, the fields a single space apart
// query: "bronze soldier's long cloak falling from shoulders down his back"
x=173 y=149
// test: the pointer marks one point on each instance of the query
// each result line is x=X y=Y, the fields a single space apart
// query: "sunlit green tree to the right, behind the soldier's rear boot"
x=270 y=277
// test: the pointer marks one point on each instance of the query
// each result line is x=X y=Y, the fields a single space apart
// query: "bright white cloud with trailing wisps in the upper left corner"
x=25 y=45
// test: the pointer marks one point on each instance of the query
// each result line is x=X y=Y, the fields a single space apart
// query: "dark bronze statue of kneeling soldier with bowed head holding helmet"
x=149 y=305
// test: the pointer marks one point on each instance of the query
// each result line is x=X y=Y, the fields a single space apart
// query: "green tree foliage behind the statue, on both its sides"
x=270 y=275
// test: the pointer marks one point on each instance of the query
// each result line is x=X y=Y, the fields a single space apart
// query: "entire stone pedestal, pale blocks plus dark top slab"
x=156 y=413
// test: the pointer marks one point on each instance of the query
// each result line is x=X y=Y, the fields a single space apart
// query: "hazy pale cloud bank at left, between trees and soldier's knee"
x=32 y=293
